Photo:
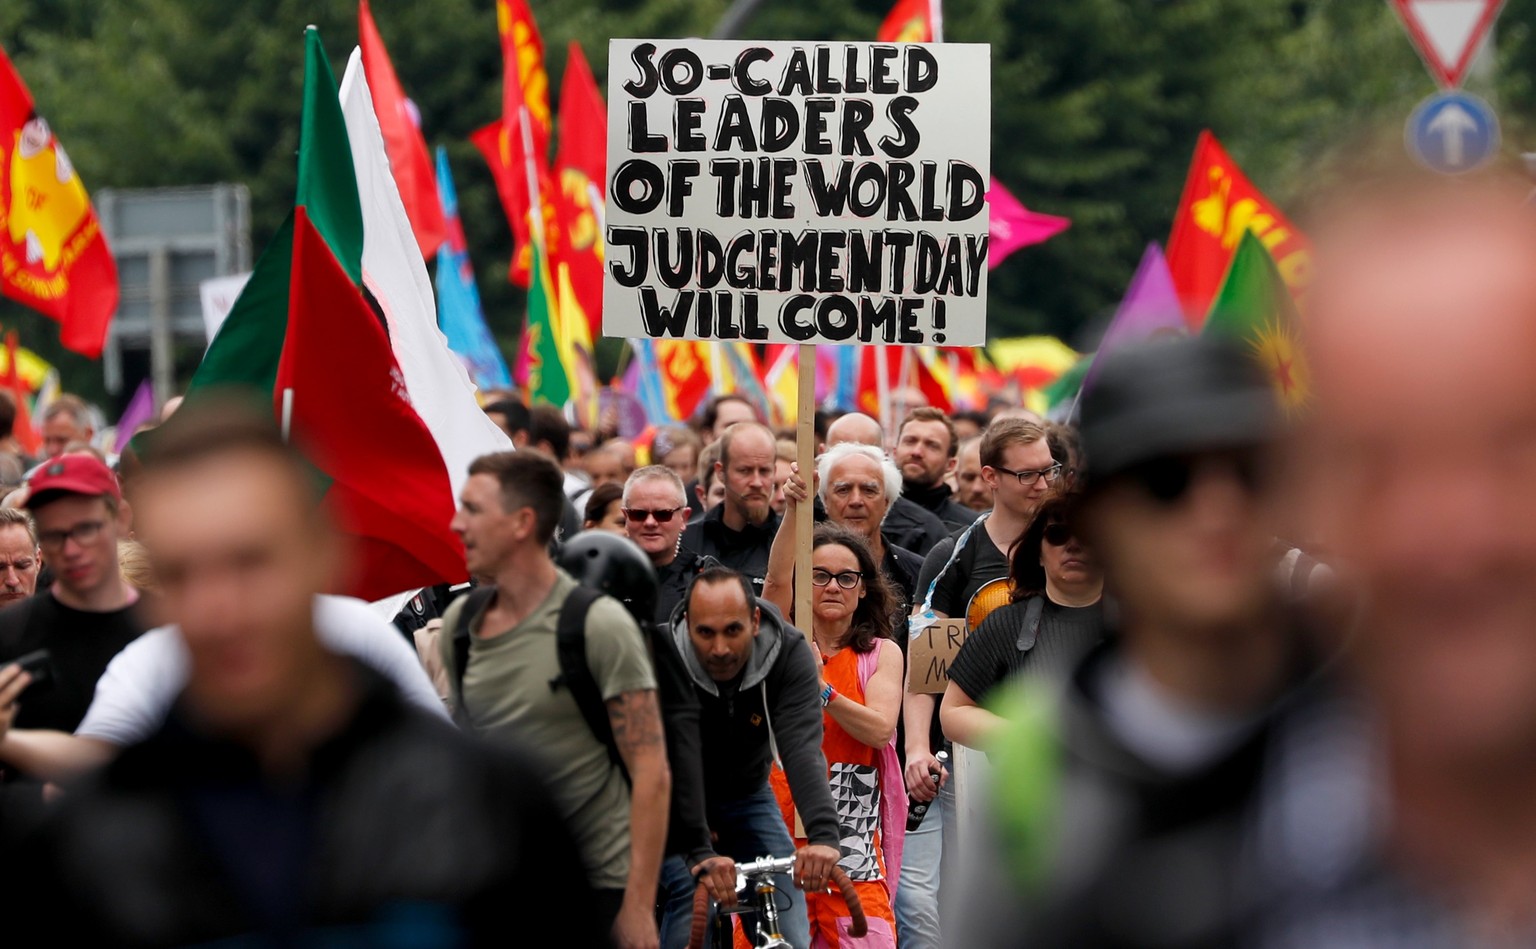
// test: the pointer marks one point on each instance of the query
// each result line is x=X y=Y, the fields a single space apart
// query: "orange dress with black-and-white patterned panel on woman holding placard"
x=855 y=775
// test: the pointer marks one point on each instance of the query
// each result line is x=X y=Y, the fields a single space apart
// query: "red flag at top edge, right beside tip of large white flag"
x=408 y=151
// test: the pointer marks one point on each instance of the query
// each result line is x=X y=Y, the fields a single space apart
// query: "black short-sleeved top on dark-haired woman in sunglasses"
x=991 y=653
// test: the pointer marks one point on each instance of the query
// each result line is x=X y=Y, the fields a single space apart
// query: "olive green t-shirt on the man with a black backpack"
x=508 y=695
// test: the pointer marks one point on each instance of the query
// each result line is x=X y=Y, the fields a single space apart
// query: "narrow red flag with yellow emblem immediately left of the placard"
x=581 y=171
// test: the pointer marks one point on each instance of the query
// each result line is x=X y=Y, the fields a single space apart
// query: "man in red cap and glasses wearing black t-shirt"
x=88 y=615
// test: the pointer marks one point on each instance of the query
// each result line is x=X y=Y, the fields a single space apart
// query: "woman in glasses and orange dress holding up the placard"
x=862 y=676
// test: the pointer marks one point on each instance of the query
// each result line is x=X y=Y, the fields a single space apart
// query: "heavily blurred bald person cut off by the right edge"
x=1423 y=343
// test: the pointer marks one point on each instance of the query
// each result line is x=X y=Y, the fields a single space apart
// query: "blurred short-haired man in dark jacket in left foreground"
x=291 y=796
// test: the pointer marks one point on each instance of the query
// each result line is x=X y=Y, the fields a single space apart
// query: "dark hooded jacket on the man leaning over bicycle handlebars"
x=775 y=704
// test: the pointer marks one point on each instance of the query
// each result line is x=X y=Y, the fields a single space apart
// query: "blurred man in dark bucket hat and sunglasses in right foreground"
x=1121 y=799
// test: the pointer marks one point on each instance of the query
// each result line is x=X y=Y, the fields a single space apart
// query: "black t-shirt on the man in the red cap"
x=81 y=646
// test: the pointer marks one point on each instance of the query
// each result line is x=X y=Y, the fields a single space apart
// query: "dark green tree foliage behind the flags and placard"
x=1096 y=105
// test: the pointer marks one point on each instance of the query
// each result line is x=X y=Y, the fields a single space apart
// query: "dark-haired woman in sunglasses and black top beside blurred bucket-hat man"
x=1054 y=621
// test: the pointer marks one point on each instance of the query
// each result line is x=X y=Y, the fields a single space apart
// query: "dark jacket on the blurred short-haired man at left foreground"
x=400 y=827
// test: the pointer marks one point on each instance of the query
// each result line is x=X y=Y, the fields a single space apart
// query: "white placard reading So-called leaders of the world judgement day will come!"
x=798 y=193
